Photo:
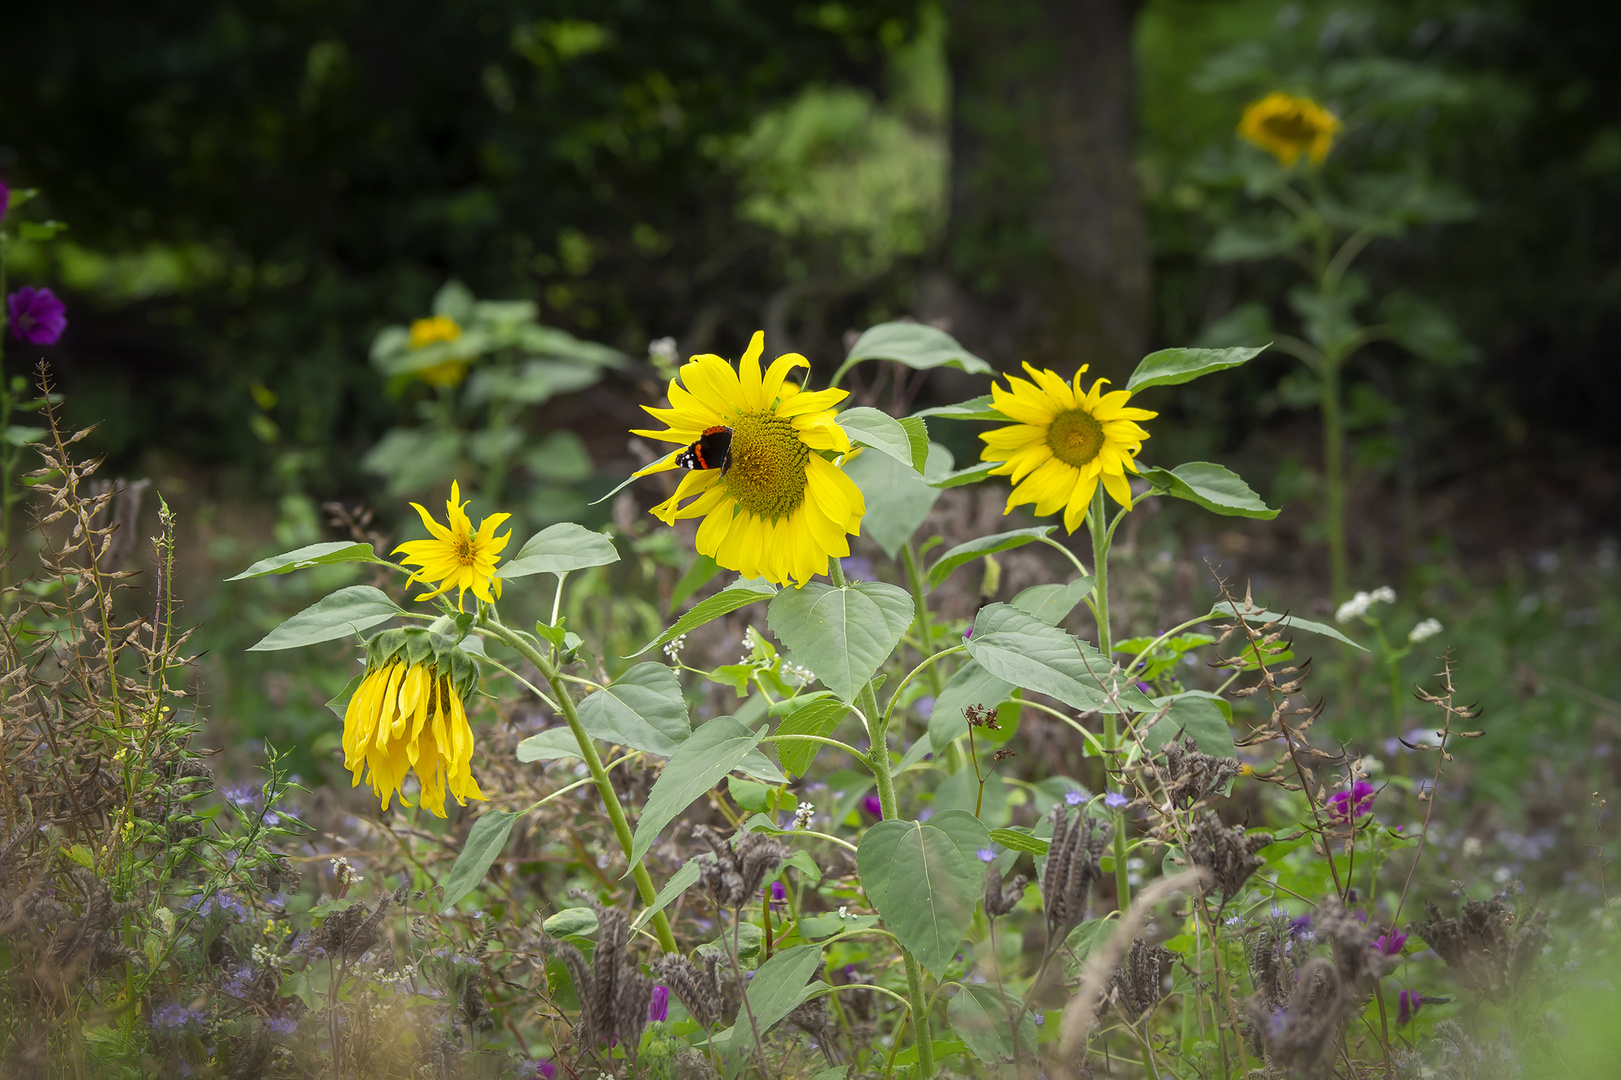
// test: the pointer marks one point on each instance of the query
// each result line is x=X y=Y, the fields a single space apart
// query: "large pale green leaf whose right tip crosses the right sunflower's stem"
x=1027 y=653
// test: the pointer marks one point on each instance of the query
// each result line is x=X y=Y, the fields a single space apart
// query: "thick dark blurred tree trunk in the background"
x=1048 y=249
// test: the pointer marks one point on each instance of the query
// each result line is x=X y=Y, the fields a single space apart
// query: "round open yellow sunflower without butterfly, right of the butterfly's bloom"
x=1064 y=442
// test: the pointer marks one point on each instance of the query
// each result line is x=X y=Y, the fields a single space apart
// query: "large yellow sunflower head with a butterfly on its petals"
x=779 y=508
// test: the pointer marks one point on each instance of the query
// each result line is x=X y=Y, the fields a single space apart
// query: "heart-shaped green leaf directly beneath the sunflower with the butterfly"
x=842 y=633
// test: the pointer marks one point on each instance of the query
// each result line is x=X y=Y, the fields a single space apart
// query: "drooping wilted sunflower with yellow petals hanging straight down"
x=408 y=716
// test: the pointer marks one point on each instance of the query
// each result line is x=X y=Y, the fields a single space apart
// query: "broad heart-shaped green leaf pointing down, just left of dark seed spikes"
x=925 y=880
